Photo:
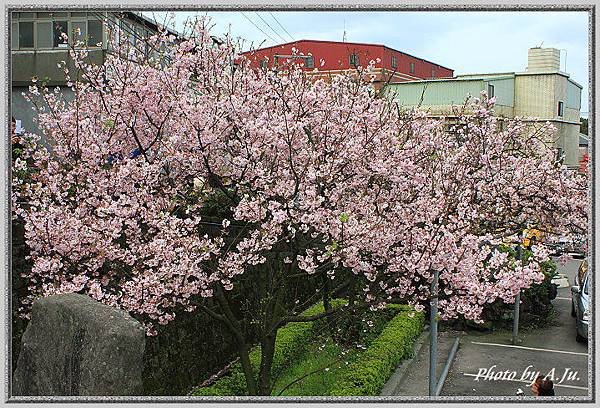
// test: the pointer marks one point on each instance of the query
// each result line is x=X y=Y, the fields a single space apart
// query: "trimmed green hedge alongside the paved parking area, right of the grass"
x=368 y=374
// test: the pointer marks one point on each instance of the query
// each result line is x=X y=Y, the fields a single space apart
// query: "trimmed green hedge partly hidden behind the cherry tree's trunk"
x=292 y=339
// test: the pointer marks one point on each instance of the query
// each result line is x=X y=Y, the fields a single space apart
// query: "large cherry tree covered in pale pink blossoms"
x=173 y=181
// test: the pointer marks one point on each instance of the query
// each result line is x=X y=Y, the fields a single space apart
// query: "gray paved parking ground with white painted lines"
x=488 y=364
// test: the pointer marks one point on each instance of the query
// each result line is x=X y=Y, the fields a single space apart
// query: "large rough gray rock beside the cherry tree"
x=75 y=345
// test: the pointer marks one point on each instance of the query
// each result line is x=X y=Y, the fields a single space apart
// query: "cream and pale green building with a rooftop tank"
x=542 y=92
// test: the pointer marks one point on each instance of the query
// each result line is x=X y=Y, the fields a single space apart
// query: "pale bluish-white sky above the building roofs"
x=466 y=41
